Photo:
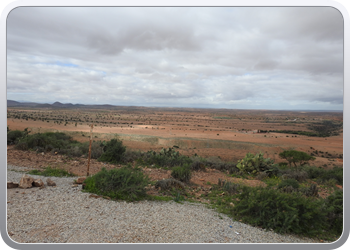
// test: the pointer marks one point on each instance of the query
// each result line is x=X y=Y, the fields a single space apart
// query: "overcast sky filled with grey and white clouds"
x=232 y=57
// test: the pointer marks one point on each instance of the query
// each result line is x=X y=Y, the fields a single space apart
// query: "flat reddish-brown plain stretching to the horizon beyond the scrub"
x=229 y=134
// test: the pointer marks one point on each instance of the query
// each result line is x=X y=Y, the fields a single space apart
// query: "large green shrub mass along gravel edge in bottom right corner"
x=283 y=212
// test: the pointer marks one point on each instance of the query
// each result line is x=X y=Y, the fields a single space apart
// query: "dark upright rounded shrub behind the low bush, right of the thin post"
x=113 y=151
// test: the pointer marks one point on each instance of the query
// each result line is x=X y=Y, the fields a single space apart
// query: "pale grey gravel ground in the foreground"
x=64 y=214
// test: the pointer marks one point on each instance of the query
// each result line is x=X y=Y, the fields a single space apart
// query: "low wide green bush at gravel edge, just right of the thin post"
x=126 y=183
